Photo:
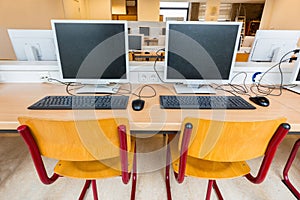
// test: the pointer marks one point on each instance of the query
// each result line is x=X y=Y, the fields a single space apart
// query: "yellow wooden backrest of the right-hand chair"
x=229 y=141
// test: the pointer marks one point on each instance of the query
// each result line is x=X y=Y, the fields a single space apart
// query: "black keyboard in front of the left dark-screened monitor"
x=80 y=102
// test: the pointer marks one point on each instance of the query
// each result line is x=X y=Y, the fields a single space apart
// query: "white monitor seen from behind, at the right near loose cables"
x=271 y=45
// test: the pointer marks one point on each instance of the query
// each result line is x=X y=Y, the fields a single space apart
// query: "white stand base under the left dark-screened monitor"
x=98 y=89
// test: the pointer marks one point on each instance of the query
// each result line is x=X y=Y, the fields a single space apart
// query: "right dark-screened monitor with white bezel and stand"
x=200 y=53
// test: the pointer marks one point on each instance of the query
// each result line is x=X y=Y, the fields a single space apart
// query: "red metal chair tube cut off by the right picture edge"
x=287 y=167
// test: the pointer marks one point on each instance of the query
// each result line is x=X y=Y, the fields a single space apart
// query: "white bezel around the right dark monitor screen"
x=201 y=81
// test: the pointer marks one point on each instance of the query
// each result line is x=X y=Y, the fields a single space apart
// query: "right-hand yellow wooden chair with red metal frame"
x=219 y=149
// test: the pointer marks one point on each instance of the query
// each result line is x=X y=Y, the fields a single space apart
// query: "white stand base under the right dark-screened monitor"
x=193 y=89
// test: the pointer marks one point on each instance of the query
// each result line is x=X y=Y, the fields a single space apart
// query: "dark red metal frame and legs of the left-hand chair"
x=42 y=173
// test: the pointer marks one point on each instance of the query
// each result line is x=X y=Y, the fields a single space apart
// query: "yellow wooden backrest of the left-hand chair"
x=79 y=140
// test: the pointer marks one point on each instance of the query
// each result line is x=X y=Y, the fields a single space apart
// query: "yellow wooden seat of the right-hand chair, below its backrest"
x=213 y=170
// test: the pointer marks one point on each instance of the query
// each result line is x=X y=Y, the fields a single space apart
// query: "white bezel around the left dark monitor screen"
x=93 y=81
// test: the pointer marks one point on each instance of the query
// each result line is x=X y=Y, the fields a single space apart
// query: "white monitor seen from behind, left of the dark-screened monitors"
x=33 y=45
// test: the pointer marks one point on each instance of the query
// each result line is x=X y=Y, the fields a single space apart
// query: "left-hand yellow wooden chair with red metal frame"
x=85 y=149
